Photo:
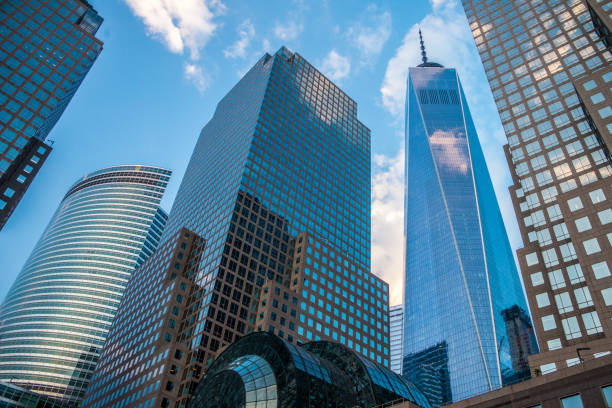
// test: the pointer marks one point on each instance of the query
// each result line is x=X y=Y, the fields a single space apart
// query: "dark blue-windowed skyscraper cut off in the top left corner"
x=46 y=49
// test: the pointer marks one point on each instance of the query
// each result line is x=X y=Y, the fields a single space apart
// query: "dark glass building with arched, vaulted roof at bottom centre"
x=262 y=369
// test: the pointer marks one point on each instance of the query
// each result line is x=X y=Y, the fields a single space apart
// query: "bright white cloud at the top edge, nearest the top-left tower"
x=180 y=24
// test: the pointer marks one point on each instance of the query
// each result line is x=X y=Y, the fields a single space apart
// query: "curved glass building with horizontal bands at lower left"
x=57 y=314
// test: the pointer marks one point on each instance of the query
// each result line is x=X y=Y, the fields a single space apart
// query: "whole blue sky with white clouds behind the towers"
x=166 y=64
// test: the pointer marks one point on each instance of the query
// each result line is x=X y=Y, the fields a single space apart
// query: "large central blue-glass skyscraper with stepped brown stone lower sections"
x=270 y=231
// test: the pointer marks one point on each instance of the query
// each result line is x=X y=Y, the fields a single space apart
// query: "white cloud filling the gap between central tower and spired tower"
x=387 y=222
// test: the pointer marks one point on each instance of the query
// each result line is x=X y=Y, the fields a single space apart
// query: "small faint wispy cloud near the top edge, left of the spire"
x=369 y=36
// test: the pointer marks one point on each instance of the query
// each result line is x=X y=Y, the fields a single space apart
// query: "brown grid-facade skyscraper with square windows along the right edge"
x=549 y=68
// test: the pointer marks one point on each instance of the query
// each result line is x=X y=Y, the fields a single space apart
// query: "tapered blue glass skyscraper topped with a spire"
x=460 y=273
